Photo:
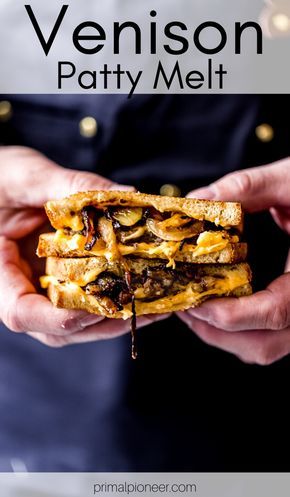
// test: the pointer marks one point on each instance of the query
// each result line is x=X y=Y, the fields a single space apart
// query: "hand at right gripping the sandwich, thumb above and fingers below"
x=254 y=328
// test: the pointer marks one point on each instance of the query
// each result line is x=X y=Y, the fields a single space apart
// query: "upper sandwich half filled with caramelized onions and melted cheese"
x=114 y=224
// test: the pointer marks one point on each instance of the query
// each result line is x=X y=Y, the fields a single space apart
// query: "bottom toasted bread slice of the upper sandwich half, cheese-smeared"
x=51 y=245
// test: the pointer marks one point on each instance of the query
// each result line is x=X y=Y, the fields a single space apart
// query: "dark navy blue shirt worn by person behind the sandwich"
x=182 y=406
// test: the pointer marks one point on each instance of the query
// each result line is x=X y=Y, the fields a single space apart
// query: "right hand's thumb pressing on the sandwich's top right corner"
x=257 y=189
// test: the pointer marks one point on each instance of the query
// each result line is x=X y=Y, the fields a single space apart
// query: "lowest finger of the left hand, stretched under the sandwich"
x=107 y=329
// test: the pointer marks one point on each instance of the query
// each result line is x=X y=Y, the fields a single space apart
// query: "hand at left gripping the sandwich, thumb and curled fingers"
x=27 y=181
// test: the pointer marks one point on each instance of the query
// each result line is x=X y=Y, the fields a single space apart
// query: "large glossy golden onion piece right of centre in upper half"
x=175 y=228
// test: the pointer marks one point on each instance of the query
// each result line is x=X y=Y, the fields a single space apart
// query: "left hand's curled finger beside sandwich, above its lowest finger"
x=22 y=309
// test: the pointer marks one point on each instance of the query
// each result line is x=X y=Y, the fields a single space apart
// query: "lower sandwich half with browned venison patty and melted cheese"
x=139 y=286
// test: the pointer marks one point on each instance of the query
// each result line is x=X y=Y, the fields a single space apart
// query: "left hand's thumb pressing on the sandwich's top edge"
x=41 y=179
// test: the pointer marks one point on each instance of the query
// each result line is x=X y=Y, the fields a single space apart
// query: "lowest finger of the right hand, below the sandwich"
x=257 y=347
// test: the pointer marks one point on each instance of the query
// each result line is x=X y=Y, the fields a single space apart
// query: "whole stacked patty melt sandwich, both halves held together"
x=125 y=254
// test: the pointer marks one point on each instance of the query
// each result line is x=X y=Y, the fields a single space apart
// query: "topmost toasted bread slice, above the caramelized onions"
x=67 y=212
